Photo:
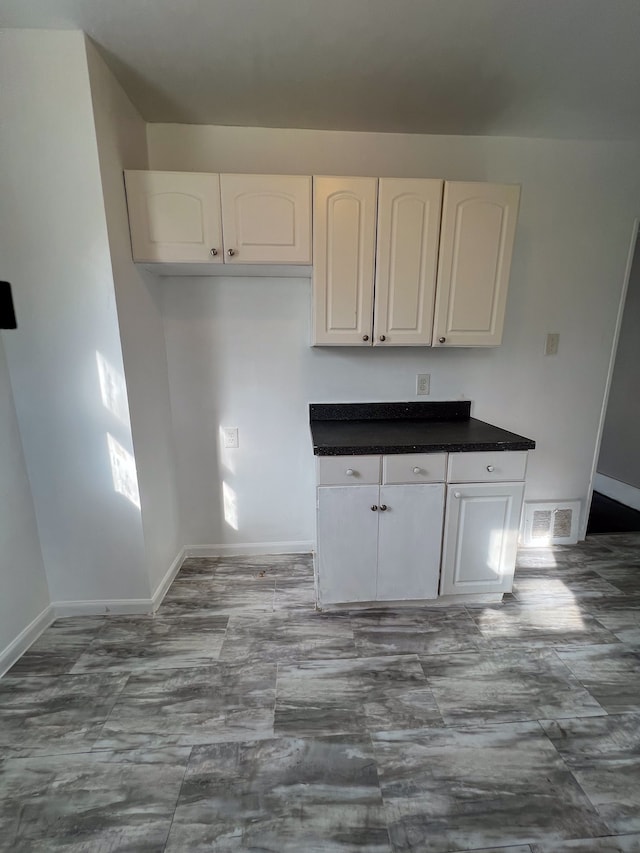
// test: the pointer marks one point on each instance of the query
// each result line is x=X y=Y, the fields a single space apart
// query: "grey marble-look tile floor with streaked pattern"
x=240 y=719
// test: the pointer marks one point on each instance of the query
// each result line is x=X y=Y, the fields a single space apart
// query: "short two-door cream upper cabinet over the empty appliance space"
x=188 y=217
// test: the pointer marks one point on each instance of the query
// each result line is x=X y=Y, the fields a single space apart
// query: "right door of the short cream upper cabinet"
x=266 y=218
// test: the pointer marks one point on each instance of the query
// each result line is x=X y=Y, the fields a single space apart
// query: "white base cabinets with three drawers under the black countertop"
x=380 y=525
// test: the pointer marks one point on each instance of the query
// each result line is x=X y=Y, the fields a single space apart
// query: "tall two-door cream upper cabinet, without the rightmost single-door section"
x=375 y=257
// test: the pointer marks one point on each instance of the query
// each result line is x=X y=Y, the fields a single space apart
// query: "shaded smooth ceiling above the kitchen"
x=539 y=68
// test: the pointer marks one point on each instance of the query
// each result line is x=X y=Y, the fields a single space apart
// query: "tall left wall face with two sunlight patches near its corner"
x=55 y=251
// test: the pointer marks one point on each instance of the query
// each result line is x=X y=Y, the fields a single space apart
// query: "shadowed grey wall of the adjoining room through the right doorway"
x=619 y=451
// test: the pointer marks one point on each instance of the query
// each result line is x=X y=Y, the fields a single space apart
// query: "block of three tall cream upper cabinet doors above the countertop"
x=440 y=281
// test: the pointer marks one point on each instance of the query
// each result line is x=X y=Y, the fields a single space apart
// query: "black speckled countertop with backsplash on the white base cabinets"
x=343 y=429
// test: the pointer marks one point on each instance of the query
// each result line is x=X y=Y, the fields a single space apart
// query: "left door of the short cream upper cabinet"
x=174 y=216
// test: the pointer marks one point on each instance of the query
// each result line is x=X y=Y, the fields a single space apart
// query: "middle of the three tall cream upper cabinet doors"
x=406 y=261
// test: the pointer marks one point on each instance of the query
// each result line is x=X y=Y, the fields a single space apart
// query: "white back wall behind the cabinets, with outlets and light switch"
x=238 y=349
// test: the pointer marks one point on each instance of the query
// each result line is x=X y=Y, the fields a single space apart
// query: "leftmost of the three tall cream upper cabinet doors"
x=344 y=233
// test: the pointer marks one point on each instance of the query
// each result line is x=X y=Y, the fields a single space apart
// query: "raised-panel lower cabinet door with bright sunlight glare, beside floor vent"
x=480 y=537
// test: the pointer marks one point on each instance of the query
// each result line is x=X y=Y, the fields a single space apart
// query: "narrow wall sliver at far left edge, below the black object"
x=24 y=594
